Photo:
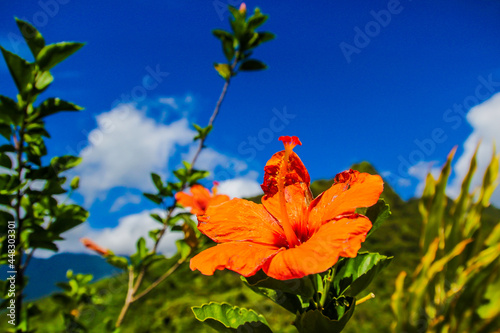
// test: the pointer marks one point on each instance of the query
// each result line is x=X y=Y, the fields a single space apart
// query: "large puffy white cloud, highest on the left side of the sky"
x=125 y=148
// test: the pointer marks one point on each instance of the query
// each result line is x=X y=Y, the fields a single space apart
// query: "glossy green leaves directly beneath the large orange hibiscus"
x=321 y=302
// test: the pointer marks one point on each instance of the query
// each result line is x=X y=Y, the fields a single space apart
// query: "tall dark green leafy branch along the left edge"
x=28 y=187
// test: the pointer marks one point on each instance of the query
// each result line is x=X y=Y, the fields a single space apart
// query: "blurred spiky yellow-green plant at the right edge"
x=456 y=287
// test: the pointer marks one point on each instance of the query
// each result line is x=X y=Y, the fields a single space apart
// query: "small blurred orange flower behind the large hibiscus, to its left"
x=200 y=198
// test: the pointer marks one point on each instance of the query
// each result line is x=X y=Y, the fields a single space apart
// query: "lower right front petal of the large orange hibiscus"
x=341 y=237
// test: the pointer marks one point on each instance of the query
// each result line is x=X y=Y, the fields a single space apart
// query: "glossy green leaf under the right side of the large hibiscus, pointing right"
x=355 y=274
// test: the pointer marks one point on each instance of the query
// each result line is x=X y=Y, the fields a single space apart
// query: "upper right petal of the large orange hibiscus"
x=352 y=190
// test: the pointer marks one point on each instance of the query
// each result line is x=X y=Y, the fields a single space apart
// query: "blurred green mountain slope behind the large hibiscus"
x=168 y=308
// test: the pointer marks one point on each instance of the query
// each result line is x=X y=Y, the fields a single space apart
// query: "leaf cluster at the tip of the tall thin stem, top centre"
x=239 y=44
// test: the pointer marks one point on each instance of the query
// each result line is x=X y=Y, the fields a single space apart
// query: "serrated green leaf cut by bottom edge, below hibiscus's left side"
x=224 y=317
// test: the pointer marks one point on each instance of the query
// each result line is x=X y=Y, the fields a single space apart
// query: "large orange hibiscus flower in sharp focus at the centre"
x=290 y=235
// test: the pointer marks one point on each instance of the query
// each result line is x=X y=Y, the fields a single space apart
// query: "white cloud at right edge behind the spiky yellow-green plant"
x=485 y=121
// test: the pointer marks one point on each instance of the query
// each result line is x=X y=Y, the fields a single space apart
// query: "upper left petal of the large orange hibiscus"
x=241 y=220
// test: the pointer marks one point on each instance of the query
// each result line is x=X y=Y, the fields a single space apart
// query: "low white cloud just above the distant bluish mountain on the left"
x=120 y=239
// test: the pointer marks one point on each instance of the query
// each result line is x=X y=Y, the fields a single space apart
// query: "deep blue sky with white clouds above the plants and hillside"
x=391 y=82
